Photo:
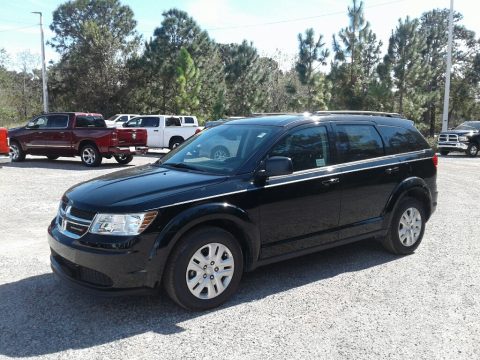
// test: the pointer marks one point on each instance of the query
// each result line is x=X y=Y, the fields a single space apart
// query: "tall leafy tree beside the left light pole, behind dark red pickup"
x=95 y=40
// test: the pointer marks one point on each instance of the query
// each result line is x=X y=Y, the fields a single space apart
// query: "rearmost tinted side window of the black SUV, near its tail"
x=400 y=140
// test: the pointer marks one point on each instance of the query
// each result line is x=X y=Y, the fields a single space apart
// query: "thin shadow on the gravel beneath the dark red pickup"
x=62 y=165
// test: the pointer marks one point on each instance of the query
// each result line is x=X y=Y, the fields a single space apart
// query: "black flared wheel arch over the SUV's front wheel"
x=235 y=218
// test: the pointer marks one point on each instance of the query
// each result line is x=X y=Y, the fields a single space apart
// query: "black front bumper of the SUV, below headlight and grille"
x=99 y=270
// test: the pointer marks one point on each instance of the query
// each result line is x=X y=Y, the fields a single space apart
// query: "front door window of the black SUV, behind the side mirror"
x=308 y=148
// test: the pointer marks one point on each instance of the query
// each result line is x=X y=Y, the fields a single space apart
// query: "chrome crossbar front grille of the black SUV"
x=73 y=222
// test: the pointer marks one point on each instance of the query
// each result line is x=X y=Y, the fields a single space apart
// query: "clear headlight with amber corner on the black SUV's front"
x=122 y=224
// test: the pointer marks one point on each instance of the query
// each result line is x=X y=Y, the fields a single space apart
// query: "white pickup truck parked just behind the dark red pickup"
x=165 y=130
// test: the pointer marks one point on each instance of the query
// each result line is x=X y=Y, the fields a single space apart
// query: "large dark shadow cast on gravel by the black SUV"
x=39 y=316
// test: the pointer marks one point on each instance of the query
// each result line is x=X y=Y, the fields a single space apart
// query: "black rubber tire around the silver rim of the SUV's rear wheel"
x=392 y=242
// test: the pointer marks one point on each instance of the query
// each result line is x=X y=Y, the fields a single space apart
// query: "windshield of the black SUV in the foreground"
x=219 y=150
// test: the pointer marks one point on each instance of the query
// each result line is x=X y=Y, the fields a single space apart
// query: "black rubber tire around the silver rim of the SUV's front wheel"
x=175 y=275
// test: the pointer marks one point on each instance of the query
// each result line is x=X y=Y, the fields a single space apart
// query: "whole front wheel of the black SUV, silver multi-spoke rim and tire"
x=205 y=269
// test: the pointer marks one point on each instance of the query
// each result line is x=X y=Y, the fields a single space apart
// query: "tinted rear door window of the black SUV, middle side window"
x=358 y=142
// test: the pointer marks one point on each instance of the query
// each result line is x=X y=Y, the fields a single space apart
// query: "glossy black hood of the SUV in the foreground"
x=140 y=188
